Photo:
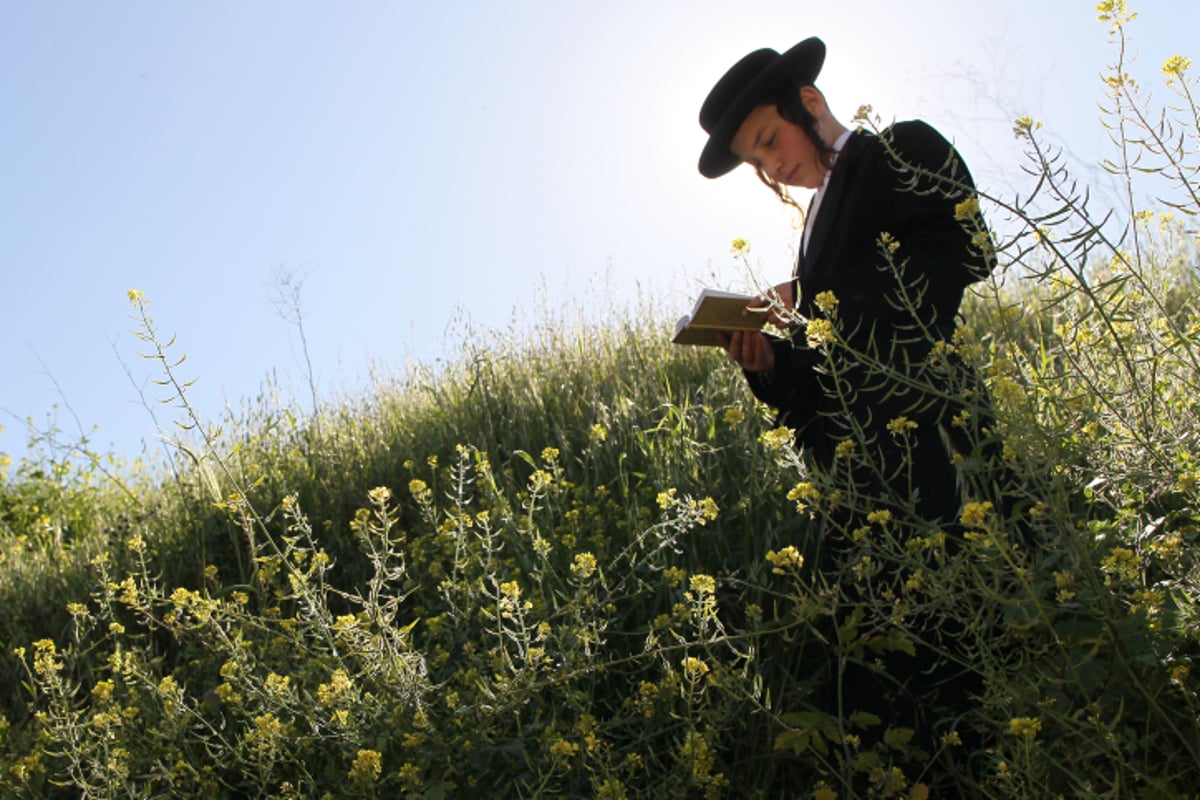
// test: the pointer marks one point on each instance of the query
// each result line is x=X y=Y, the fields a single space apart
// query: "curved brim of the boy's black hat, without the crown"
x=801 y=65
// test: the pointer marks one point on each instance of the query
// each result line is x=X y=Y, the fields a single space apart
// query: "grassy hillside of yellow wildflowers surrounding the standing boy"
x=583 y=564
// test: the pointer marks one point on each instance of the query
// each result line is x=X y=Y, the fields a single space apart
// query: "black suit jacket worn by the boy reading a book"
x=907 y=183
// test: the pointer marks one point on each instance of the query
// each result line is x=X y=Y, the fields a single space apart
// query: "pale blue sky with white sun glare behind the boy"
x=430 y=167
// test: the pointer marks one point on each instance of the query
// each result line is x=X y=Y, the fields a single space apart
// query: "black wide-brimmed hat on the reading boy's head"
x=746 y=86
